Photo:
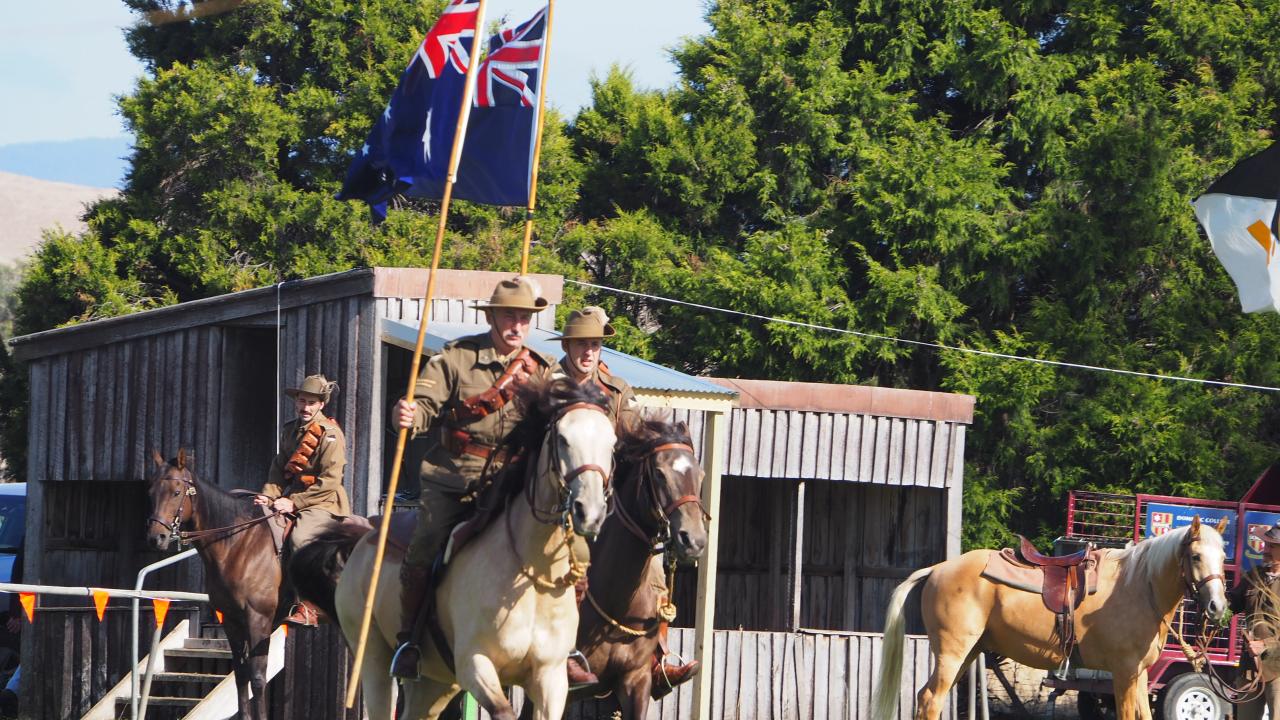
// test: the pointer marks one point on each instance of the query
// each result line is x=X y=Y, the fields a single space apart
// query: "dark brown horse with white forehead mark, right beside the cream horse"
x=657 y=503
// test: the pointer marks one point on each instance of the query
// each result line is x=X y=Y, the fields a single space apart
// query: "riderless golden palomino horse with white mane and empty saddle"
x=1121 y=628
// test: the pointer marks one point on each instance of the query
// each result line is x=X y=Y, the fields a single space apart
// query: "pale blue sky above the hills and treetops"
x=65 y=62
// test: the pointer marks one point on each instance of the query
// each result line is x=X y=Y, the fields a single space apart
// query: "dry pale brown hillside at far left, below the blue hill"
x=29 y=206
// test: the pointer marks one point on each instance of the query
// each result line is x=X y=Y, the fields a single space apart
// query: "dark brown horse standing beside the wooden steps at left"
x=243 y=573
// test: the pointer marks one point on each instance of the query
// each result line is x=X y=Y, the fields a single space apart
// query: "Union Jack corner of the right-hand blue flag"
x=510 y=75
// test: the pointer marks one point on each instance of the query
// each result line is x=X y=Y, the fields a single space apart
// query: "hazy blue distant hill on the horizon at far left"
x=94 y=162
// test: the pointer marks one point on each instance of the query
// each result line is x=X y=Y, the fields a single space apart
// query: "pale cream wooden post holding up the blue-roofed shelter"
x=714 y=459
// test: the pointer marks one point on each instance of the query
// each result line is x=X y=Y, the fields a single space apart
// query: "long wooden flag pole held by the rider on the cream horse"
x=459 y=136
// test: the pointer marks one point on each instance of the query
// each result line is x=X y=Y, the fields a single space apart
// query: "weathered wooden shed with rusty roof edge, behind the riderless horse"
x=831 y=496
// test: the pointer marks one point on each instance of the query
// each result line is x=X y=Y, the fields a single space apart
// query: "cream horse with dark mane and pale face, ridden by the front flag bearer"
x=506 y=604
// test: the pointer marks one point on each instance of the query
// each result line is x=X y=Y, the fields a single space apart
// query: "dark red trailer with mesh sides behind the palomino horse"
x=1114 y=521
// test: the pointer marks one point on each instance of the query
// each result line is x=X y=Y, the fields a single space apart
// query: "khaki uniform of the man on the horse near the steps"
x=317 y=493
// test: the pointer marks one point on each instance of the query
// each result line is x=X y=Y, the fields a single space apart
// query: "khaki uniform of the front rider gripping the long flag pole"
x=464 y=370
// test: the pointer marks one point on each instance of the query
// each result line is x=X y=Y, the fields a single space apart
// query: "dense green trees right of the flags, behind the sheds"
x=1011 y=177
